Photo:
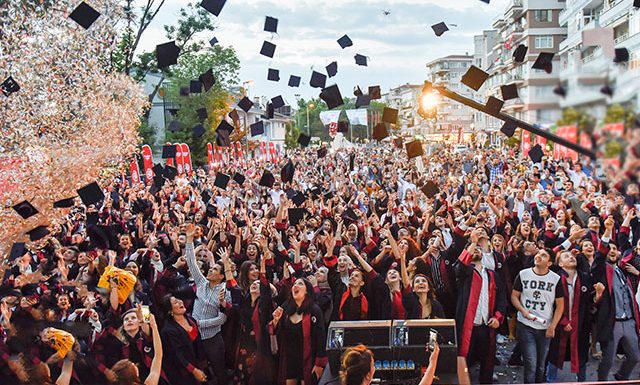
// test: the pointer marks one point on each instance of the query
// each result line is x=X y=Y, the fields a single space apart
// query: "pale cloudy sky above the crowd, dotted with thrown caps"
x=397 y=45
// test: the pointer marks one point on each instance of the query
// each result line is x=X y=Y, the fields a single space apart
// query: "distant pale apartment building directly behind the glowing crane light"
x=452 y=116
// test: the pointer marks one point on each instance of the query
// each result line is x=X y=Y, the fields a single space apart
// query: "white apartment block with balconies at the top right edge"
x=585 y=70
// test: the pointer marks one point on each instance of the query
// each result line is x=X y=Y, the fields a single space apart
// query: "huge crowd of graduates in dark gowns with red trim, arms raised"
x=236 y=279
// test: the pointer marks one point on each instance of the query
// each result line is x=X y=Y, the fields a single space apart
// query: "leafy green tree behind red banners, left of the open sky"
x=225 y=66
